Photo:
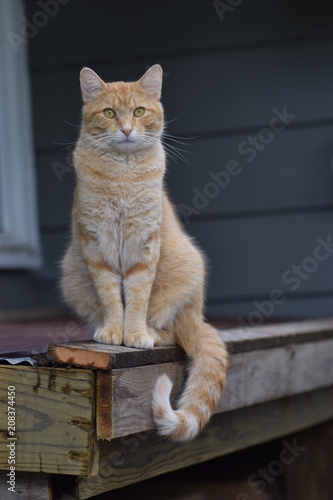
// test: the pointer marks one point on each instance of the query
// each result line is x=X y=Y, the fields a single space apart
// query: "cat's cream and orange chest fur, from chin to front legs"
x=120 y=202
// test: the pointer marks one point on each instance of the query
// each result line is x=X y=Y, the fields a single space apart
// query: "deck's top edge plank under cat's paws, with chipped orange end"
x=242 y=339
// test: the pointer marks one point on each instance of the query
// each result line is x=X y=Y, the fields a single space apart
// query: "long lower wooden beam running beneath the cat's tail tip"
x=136 y=458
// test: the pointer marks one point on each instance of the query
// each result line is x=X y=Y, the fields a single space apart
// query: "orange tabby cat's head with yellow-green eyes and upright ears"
x=122 y=116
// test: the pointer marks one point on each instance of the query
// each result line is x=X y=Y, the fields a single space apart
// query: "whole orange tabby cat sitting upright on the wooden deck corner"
x=130 y=270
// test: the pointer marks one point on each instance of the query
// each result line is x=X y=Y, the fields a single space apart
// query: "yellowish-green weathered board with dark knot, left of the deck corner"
x=54 y=419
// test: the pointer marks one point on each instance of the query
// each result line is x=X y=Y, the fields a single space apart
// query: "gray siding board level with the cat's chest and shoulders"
x=295 y=170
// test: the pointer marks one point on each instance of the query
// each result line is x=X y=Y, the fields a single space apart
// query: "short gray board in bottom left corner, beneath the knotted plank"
x=29 y=486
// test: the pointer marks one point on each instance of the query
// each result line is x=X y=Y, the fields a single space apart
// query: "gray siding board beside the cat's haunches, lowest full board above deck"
x=248 y=257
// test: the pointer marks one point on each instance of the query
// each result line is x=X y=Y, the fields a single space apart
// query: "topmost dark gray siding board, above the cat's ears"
x=85 y=31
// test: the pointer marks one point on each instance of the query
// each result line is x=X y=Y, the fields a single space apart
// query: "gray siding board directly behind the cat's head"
x=217 y=93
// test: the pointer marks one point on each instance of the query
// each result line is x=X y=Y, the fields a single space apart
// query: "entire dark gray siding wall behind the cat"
x=223 y=80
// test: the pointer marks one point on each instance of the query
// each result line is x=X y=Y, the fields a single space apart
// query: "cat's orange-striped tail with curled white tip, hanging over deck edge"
x=203 y=389
